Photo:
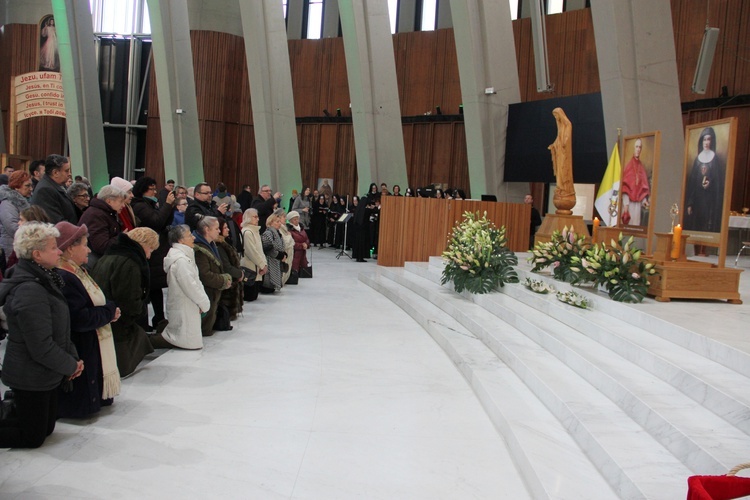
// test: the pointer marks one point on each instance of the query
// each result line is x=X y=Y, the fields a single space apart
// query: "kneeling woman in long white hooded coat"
x=186 y=299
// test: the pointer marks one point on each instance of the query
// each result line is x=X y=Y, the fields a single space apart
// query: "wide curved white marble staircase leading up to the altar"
x=609 y=402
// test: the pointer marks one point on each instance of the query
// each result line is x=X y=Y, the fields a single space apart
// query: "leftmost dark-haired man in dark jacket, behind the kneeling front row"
x=50 y=192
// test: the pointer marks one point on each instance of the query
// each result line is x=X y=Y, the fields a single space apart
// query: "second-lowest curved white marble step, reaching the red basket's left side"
x=610 y=438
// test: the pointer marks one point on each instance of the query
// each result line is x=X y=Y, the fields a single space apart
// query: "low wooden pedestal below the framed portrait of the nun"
x=681 y=278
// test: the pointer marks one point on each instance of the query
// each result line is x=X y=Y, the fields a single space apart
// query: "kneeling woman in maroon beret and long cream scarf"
x=90 y=317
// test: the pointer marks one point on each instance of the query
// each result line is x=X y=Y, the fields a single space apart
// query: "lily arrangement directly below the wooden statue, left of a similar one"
x=563 y=253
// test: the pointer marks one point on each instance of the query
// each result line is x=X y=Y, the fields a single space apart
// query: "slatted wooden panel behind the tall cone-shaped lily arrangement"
x=414 y=229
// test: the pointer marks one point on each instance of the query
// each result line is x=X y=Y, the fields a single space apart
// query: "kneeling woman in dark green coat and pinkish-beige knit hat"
x=123 y=274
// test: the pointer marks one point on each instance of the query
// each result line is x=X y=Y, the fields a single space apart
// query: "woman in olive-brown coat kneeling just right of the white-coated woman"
x=210 y=269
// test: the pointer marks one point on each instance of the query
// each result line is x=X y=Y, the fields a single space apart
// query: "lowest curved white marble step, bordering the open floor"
x=550 y=462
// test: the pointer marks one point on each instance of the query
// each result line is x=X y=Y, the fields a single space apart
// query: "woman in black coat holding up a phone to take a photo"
x=146 y=209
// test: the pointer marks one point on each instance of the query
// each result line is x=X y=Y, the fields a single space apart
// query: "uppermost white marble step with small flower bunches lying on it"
x=715 y=386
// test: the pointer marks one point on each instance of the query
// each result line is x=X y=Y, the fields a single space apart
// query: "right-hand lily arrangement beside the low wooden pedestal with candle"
x=618 y=268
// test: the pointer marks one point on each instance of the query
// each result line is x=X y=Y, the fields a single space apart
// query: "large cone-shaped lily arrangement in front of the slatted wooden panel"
x=477 y=258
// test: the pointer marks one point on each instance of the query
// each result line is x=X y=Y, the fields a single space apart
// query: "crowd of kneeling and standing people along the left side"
x=80 y=273
